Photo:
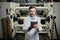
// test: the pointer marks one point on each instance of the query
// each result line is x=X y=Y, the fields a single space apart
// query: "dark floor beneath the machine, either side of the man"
x=20 y=36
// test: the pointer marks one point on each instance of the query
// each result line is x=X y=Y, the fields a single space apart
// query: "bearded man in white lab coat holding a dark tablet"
x=32 y=34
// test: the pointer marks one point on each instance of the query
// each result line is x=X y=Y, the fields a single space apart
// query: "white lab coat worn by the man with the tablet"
x=33 y=33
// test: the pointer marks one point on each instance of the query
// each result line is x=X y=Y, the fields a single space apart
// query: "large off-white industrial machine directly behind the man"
x=42 y=12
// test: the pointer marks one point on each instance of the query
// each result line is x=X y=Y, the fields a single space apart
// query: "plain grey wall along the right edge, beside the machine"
x=57 y=14
